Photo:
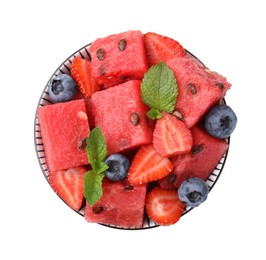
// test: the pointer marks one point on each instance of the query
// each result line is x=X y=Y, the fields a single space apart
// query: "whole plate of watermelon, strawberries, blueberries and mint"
x=132 y=129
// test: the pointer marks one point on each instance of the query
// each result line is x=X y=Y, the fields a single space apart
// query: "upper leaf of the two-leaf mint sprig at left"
x=96 y=148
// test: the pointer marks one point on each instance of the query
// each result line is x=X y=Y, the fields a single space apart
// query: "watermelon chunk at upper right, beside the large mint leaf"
x=198 y=87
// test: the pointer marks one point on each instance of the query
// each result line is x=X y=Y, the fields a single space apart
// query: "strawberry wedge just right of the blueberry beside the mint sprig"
x=148 y=165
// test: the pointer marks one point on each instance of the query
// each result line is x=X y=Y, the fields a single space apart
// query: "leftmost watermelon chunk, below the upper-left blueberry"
x=63 y=128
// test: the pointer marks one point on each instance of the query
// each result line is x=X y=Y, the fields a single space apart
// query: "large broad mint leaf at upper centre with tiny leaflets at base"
x=159 y=90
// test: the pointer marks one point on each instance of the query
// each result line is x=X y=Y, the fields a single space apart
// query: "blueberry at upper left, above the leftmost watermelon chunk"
x=62 y=88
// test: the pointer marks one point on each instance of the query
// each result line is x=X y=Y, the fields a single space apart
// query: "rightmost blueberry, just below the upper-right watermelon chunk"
x=220 y=121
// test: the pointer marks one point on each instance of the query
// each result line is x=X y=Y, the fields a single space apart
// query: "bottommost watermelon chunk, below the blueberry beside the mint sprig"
x=121 y=205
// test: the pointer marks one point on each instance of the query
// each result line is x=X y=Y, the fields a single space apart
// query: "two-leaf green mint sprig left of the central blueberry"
x=96 y=151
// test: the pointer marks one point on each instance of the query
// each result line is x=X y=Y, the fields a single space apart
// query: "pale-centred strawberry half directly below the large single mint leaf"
x=171 y=136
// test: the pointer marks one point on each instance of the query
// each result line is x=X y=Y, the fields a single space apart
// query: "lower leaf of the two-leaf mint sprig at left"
x=93 y=186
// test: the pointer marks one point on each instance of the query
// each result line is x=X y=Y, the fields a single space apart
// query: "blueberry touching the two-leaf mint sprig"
x=118 y=167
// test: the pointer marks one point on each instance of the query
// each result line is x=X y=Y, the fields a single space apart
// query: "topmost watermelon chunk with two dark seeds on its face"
x=118 y=58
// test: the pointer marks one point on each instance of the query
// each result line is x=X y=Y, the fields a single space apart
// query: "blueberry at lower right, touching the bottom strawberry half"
x=193 y=191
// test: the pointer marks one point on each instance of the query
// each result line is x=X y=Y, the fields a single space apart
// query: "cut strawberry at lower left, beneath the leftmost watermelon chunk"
x=69 y=185
